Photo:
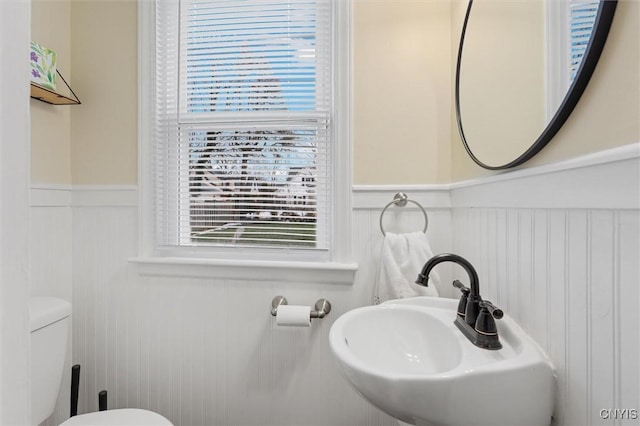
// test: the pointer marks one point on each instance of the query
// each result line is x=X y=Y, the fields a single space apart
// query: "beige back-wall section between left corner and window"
x=104 y=129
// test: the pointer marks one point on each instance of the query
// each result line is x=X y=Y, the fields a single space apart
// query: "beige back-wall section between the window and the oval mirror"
x=401 y=86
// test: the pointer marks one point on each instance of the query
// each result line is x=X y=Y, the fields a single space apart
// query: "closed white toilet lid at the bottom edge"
x=120 y=417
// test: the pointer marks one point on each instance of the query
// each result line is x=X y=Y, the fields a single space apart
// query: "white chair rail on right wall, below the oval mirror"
x=607 y=179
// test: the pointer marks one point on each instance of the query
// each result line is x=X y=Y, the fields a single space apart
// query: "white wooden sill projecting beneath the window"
x=311 y=272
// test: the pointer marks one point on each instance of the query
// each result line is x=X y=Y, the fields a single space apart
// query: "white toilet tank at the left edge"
x=49 y=318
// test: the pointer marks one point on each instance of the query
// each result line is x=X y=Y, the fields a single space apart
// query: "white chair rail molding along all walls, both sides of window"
x=606 y=179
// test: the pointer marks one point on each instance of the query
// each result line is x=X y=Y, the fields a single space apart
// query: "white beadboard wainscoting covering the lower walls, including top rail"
x=556 y=247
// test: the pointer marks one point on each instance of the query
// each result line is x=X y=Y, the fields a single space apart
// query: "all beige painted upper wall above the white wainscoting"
x=403 y=63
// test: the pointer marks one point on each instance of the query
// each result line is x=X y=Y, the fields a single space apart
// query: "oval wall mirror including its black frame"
x=522 y=67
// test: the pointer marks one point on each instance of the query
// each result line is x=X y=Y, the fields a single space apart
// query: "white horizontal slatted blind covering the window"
x=243 y=138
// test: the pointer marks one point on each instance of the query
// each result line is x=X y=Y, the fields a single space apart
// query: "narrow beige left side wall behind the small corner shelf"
x=50 y=125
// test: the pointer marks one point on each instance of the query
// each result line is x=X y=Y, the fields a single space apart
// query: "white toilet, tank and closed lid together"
x=49 y=331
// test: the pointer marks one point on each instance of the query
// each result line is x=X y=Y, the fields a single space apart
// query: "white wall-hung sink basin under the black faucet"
x=408 y=358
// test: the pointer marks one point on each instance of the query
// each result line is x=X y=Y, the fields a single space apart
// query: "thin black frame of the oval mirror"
x=606 y=10
